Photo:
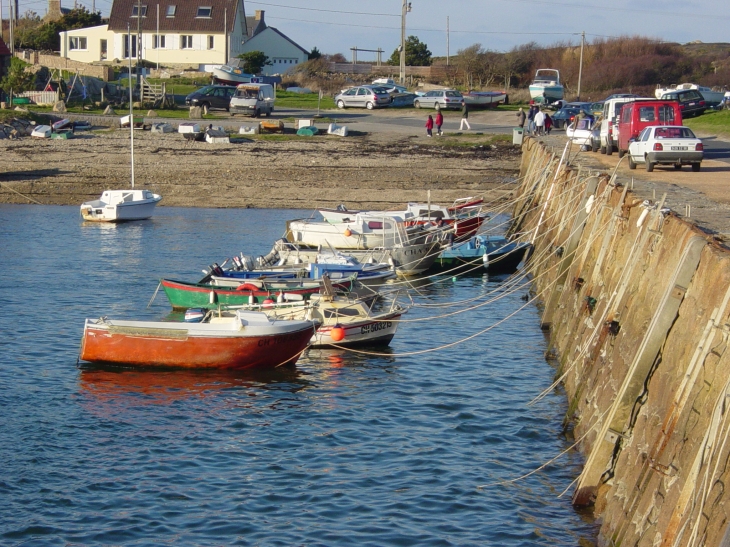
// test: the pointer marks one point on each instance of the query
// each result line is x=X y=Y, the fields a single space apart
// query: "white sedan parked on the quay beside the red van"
x=666 y=145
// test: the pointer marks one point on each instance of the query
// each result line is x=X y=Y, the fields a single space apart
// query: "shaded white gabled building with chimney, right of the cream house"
x=282 y=51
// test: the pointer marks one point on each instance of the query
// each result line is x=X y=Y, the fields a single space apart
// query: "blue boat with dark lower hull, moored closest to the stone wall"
x=496 y=254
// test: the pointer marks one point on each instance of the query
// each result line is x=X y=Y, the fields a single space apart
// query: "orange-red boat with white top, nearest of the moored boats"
x=244 y=340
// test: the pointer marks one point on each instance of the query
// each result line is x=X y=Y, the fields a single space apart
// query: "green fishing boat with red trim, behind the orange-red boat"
x=183 y=295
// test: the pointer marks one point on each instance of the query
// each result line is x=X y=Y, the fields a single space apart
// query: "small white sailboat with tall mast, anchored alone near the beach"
x=122 y=205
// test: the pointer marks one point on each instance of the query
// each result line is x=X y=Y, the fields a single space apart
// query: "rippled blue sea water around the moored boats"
x=383 y=448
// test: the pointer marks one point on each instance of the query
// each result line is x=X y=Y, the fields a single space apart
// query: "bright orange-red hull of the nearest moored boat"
x=181 y=349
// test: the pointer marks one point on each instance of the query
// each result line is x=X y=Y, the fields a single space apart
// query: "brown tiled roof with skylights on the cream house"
x=185 y=19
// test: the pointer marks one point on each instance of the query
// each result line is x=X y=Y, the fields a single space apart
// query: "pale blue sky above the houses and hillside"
x=499 y=25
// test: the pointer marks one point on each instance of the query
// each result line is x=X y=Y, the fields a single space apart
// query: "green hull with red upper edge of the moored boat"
x=194 y=295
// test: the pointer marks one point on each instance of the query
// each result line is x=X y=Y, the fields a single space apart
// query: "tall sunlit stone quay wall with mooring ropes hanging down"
x=637 y=302
